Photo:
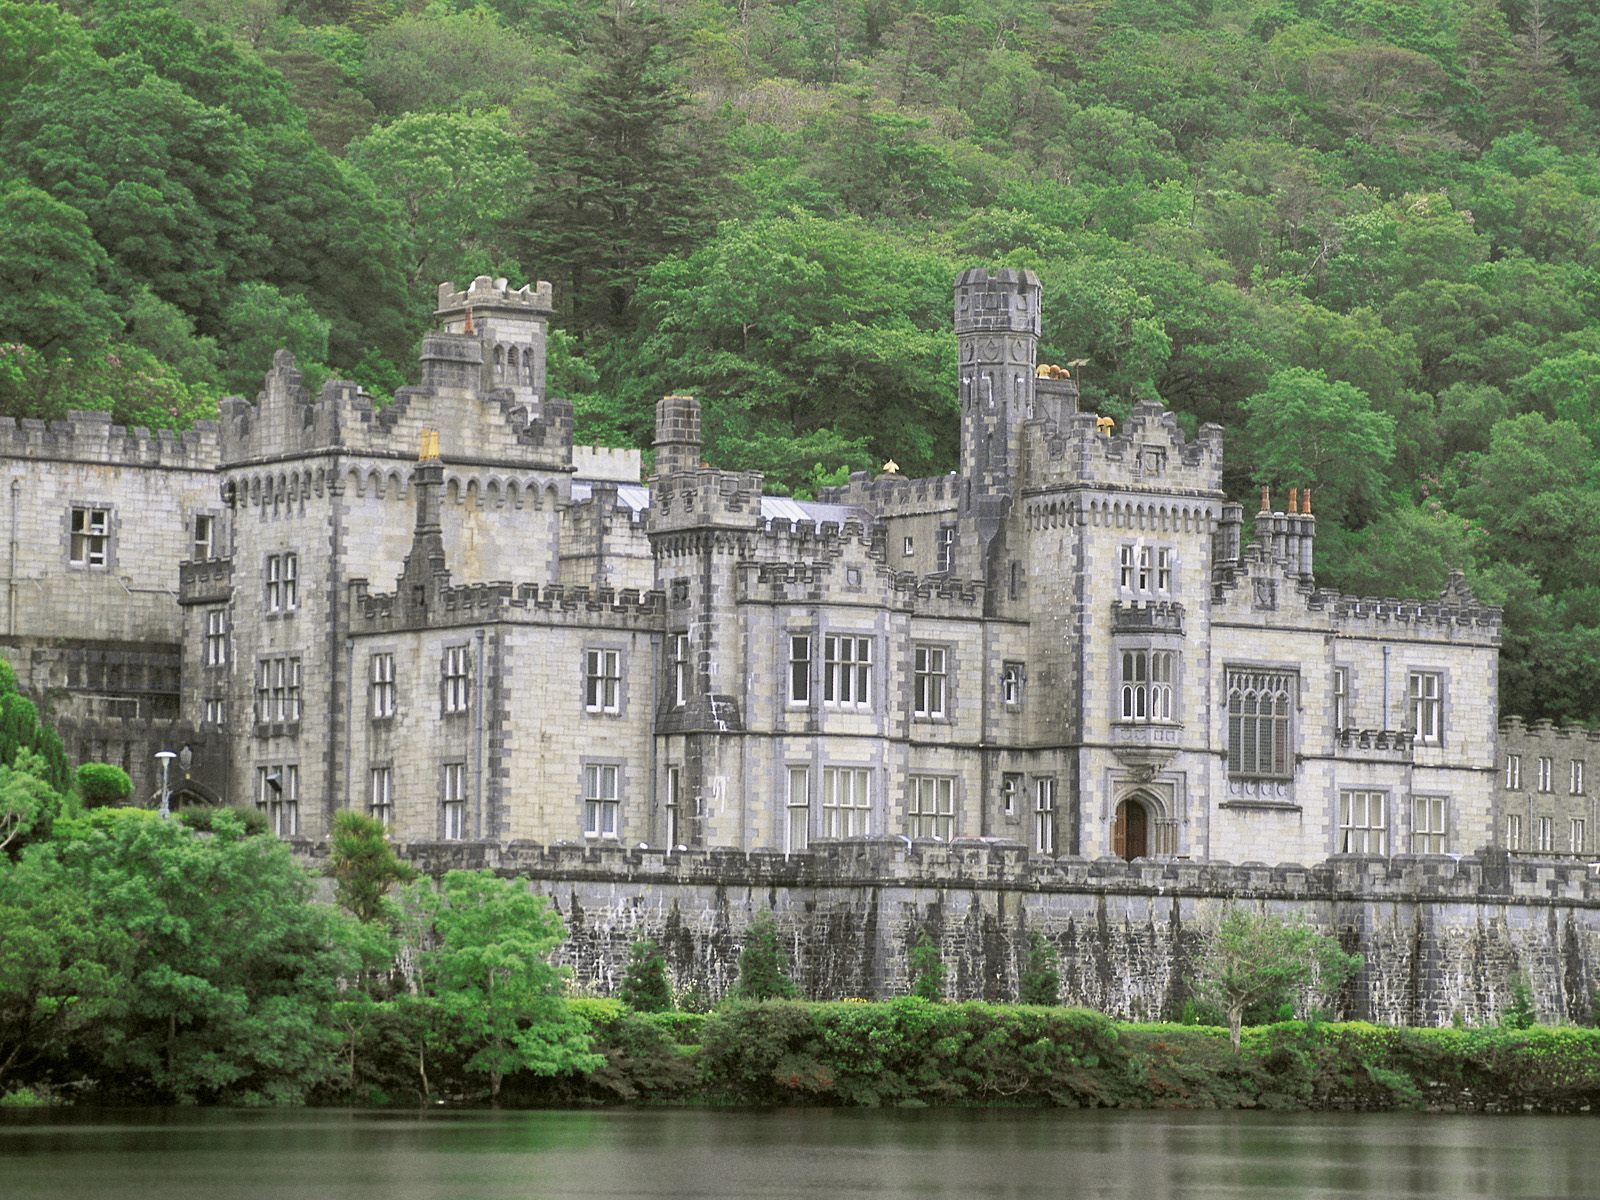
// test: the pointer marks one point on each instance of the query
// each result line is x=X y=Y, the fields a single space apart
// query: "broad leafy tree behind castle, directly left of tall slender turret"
x=802 y=330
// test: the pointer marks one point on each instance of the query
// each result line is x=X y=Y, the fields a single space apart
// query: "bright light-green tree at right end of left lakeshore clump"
x=495 y=986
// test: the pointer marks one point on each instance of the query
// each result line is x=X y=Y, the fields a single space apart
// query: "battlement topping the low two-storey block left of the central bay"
x=506 y=602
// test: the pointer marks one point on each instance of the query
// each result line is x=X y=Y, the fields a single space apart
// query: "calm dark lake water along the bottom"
x=185 y=1154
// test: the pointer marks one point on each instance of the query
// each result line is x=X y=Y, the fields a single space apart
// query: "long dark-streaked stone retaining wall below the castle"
x=1442 y=937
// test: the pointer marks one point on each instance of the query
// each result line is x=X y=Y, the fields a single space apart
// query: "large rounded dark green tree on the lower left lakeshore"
x=228 y=970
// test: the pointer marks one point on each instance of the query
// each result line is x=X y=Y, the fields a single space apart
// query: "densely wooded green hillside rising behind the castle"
x=1361 y=234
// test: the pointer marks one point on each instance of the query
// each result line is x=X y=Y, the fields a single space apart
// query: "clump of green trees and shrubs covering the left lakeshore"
x=190 y=959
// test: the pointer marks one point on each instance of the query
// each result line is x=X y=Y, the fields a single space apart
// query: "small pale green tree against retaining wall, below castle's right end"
x=1258 y=964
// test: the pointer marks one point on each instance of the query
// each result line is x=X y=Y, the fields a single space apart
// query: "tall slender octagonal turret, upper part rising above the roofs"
x=998 y=332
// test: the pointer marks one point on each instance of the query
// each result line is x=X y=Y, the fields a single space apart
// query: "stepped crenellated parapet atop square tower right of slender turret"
x=1148 y=452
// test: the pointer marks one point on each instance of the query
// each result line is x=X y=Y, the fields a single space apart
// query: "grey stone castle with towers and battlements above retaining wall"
x=446 y=614
